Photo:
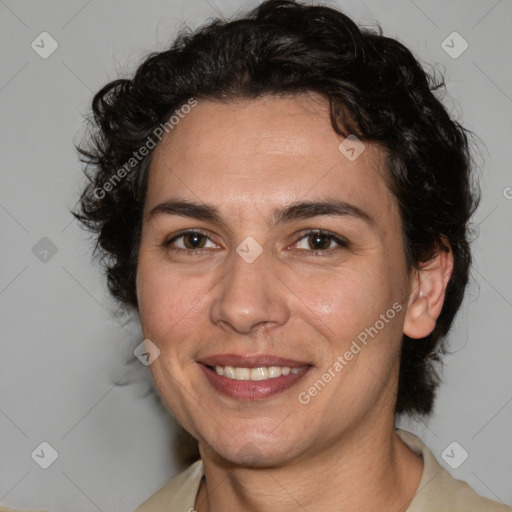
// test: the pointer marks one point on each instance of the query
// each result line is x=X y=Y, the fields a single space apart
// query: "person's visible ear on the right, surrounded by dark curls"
x=427 y=292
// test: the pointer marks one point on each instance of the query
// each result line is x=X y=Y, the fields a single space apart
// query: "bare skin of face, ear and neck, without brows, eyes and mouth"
x=248 y=158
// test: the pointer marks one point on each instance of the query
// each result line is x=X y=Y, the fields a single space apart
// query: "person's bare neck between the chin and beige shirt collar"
x=365 y=470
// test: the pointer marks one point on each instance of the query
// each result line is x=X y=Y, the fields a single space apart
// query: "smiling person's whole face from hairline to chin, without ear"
x=269 y=254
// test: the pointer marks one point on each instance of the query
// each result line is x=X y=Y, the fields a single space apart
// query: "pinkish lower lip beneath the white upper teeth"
x=252 y=389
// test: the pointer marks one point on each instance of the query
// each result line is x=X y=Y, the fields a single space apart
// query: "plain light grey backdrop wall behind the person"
x=65 y=354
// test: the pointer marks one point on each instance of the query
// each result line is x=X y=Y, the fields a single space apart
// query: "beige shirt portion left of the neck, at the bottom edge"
x=178 y=494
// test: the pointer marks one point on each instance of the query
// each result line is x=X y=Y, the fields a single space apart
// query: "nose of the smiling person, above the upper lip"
x=250 y=297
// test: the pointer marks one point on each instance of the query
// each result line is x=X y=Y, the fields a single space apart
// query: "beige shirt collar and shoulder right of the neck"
x=438 y=491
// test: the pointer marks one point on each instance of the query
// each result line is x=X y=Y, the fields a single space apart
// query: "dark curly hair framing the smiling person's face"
x=376 y=89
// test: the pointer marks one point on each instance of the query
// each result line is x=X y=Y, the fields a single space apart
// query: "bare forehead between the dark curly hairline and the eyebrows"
x=254 y=155
